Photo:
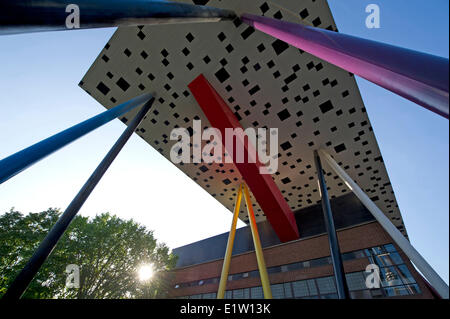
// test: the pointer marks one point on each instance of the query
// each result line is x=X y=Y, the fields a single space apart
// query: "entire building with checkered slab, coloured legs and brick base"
x=323 y=218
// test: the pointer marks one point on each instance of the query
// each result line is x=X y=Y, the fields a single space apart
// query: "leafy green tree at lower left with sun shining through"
x=107 y=249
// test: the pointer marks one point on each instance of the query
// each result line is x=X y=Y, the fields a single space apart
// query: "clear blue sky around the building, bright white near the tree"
x=39 y=96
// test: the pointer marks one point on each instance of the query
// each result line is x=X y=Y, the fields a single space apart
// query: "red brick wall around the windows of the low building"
x=350 y=239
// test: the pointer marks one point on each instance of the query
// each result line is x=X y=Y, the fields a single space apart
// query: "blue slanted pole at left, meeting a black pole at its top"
x=17 y=162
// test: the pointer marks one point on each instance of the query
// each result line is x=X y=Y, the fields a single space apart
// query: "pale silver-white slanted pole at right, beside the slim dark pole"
x=429 y=273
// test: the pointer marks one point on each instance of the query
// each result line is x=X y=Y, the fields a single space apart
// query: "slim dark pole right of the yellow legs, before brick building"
x=338 y=266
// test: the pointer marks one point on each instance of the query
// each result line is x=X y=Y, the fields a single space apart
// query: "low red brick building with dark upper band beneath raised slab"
x=302 y=268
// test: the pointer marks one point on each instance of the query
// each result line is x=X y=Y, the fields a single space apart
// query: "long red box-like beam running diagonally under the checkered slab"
x=264 y=189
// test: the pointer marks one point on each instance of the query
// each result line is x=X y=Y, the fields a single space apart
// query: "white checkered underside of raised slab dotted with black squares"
x=265 y=82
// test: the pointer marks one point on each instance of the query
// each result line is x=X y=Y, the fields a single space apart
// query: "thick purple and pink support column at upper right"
x=418 y=77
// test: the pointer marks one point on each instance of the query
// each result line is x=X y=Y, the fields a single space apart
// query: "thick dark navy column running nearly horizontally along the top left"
x=21 y=16
